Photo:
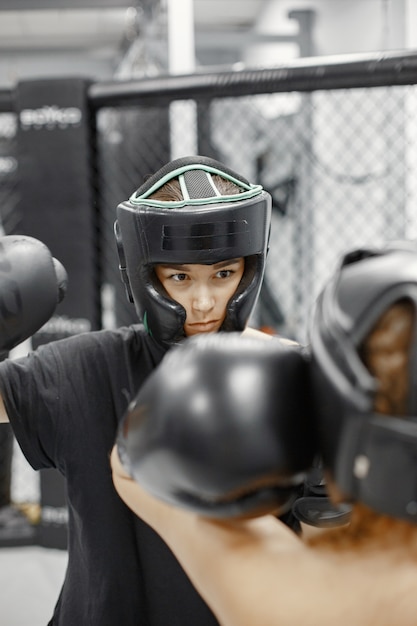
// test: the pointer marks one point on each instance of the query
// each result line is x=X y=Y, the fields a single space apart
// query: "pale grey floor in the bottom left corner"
x=30 y=581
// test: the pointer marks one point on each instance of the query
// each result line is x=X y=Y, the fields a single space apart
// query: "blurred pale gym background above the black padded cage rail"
x=104 y=38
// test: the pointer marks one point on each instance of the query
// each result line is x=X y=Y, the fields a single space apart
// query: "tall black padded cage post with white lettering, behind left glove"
x=55 y=144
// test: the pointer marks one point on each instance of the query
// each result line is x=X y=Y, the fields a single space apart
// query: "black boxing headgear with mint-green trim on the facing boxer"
x=204 y=227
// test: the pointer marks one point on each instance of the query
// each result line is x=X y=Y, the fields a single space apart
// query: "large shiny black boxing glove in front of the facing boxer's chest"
x=223 y=427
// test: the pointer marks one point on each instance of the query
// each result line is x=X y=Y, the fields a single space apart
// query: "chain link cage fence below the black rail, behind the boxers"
x=340 y=164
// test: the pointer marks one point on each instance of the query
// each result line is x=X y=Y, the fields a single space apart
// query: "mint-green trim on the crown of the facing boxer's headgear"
x=250 y=190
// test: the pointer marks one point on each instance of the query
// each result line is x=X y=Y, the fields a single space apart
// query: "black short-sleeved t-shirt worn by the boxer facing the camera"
x=65 y=401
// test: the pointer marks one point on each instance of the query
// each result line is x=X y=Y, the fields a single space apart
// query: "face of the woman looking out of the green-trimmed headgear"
x=203 y=291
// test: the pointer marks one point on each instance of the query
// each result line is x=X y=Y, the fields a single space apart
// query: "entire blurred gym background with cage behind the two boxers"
x=316 y=100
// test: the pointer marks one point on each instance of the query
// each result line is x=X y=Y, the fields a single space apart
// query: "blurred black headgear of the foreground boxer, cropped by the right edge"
x=372 y=457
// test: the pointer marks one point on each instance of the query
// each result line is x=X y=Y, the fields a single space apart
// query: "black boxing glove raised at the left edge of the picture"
x=32 y=283
